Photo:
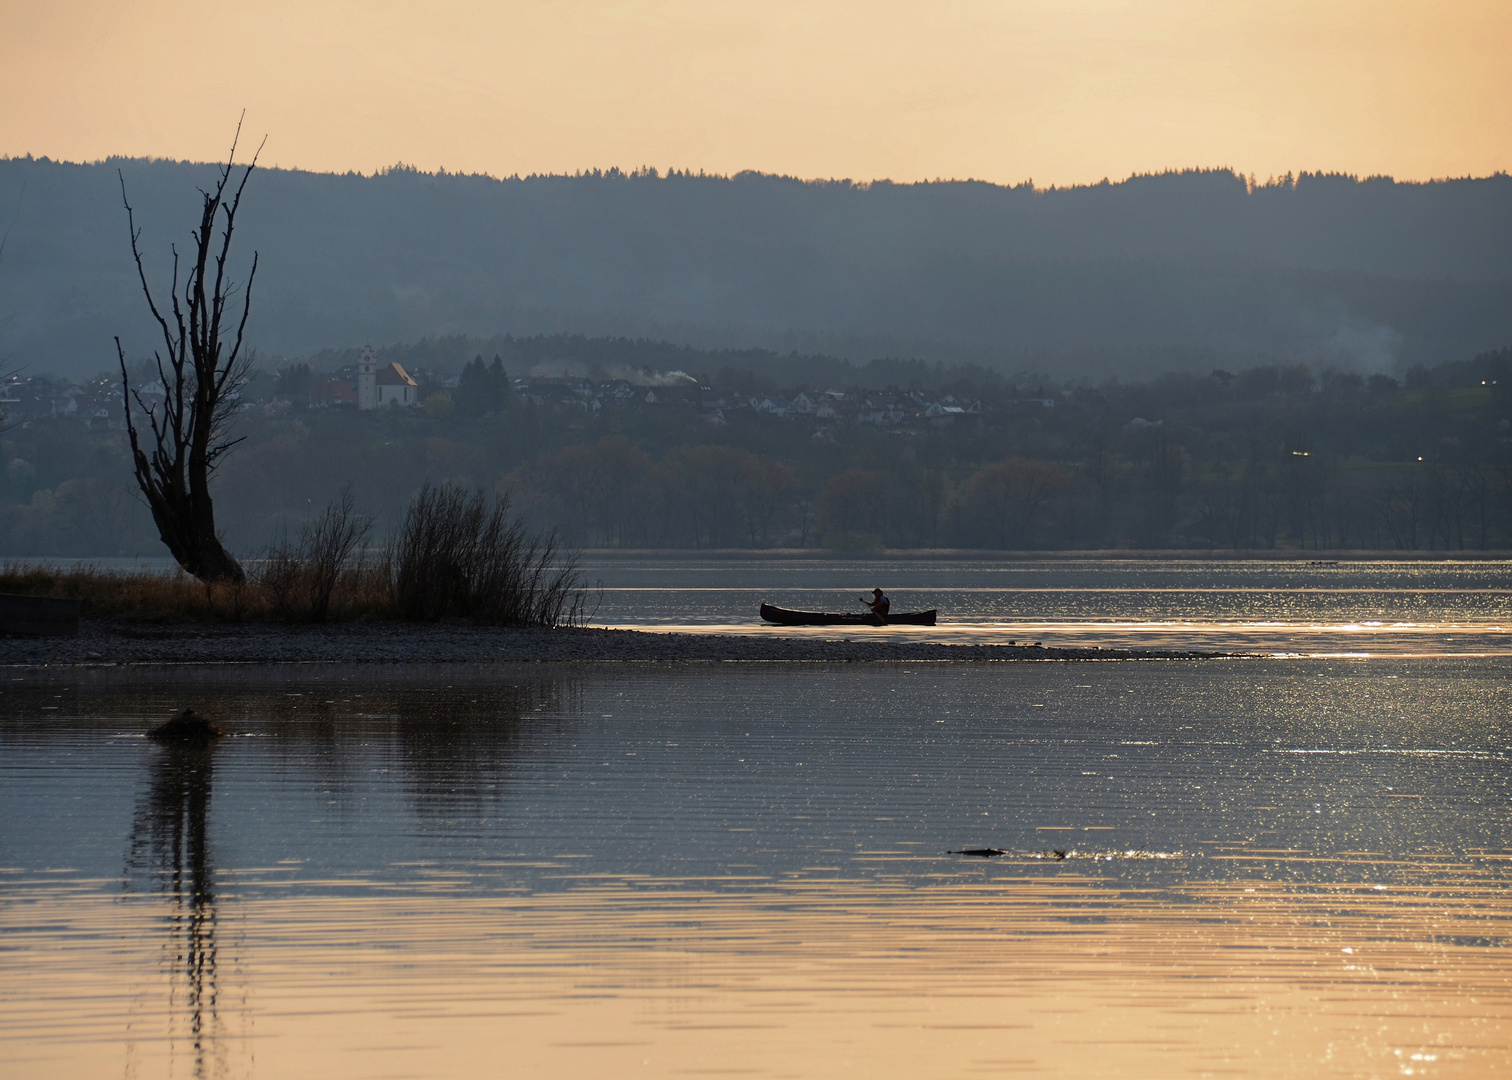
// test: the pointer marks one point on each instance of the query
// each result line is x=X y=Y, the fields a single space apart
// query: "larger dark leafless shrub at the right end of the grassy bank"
x=456 y=557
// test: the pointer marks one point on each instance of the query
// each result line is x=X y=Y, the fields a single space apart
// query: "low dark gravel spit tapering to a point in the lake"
x=107 y=644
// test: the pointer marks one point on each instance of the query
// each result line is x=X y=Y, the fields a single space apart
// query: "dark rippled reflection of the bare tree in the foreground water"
x=170 y=849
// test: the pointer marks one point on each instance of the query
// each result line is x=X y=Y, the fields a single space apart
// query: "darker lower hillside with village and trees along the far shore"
x=621 y=456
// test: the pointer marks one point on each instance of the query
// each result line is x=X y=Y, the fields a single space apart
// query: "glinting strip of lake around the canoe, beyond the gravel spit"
x=1303 y=607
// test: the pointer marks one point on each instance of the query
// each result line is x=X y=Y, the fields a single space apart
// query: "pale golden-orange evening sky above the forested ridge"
x=1059 y=92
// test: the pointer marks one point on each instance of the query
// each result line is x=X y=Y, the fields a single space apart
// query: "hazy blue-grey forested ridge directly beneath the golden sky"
x=1191 y=270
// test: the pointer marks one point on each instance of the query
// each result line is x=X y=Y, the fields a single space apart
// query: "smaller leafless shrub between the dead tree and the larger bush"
x=303 y=580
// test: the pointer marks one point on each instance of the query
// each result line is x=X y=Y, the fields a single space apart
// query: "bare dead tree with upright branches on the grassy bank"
x=203 y=368
